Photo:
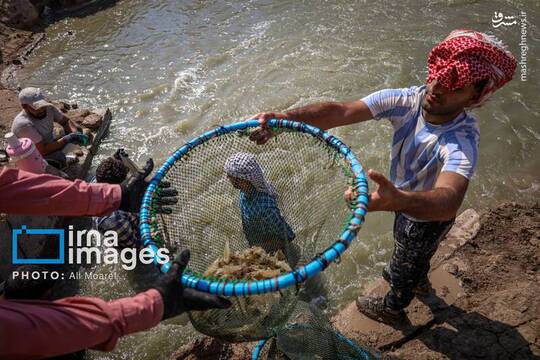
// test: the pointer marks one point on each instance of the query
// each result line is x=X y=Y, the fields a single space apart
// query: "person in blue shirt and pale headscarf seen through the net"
x=262 y=221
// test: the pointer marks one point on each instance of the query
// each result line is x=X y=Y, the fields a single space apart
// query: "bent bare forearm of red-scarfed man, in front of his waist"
x=439 y=204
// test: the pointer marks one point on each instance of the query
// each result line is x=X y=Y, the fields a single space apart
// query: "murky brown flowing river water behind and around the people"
x=170 y=70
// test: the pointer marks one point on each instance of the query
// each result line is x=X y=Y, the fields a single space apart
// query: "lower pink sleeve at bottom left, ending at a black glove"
x=34 y=329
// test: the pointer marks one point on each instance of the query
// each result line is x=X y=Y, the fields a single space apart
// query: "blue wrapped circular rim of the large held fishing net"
x=300 y=274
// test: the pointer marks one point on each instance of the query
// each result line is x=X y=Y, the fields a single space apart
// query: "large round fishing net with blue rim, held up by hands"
x=259 y=220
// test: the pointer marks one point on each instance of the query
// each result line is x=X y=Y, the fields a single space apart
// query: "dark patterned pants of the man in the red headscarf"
x=414 y=245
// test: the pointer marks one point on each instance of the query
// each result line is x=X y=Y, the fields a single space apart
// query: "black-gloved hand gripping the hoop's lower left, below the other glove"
x=177 y=299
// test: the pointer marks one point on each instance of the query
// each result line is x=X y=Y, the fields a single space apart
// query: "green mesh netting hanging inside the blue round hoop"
x=308 y=178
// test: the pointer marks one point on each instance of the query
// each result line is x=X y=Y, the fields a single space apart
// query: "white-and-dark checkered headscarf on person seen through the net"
x=244 y=166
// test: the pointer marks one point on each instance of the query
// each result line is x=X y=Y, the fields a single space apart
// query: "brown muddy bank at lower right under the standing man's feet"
x=486 y=279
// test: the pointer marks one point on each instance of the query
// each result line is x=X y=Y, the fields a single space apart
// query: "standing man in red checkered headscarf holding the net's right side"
x=434 y=154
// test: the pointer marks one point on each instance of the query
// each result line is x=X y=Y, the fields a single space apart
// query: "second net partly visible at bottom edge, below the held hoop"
x=308 y=334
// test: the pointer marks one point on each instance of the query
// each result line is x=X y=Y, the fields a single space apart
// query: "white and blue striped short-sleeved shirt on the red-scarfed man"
x=420 y=150
